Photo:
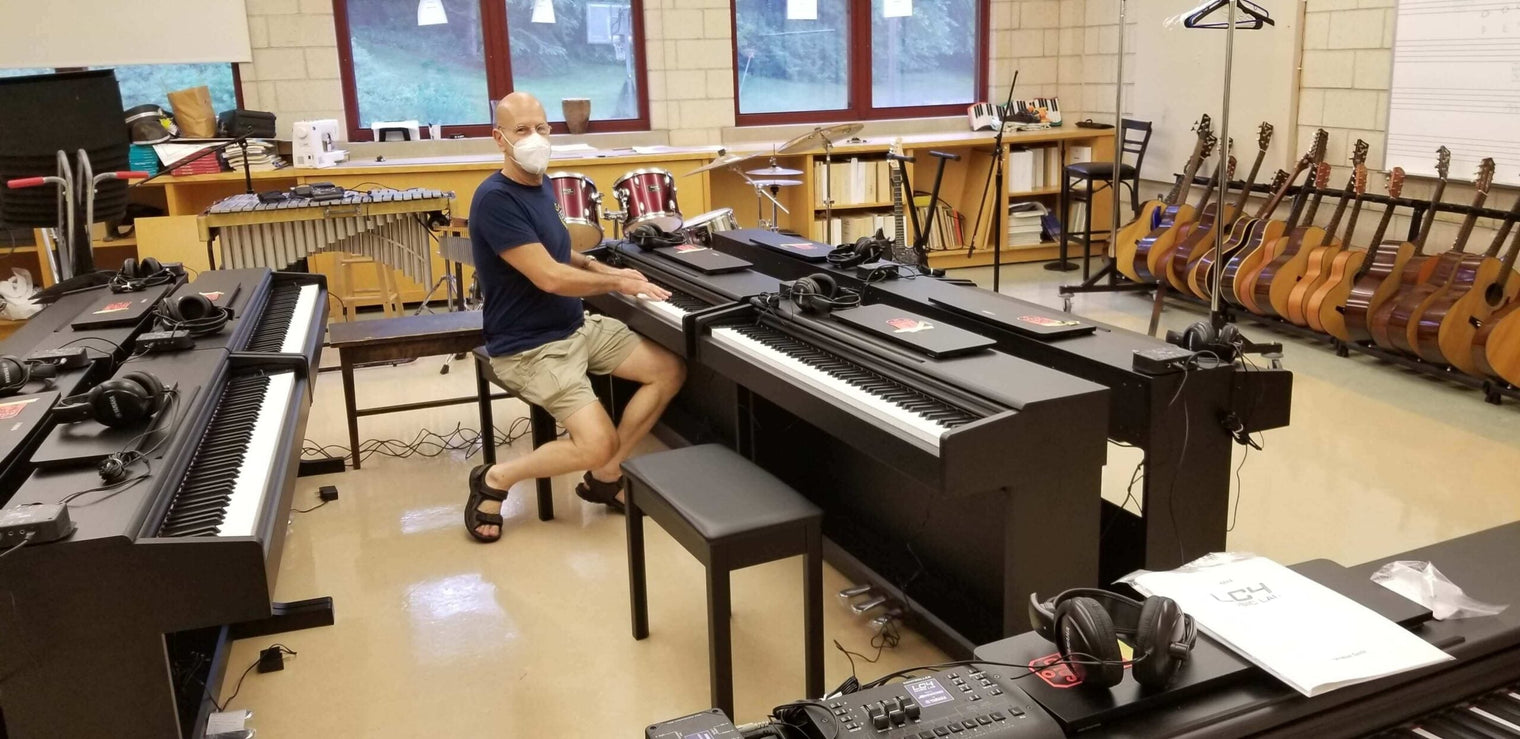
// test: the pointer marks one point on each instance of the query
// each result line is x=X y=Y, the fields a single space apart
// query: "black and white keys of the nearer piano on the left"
x=201 y=501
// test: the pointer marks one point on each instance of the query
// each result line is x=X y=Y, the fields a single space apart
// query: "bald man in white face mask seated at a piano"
x=540 y=340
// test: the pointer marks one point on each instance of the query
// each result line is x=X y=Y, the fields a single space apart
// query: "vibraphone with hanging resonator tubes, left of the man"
x=387 y=226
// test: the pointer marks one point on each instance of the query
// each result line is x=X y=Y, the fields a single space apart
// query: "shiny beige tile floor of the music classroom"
x=442 y=636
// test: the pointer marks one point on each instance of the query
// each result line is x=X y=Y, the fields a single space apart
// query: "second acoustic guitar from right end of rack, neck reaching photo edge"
x=1449 y=326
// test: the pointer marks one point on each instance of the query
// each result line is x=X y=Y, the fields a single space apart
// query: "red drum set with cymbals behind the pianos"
x=648 y=197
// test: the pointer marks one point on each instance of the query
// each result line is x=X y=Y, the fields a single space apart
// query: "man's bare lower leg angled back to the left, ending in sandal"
x=592 y=443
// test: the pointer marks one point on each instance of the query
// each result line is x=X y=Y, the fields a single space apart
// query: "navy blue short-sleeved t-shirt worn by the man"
x=519 y=317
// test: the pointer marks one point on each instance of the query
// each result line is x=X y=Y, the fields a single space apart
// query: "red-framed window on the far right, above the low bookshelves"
x=843 y=62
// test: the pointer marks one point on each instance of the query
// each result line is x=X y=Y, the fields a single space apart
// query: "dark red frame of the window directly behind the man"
x=498 y=75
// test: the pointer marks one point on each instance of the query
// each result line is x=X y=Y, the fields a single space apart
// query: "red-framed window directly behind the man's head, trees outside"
x=473 y=52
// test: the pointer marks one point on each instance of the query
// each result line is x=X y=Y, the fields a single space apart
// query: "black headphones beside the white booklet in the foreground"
x=1086 y=626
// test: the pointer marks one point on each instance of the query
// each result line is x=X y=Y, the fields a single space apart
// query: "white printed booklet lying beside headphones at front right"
x=1300 y=632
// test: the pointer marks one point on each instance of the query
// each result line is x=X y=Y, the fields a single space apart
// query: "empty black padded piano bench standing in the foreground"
x=730 y=515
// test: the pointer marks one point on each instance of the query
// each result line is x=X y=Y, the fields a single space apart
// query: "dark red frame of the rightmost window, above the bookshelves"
x=860 y=84
